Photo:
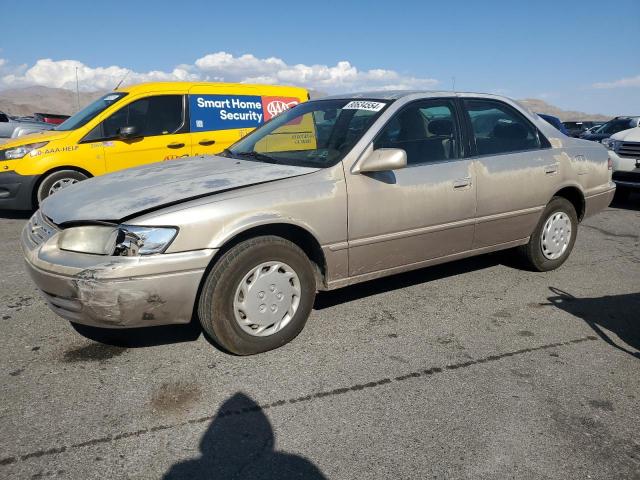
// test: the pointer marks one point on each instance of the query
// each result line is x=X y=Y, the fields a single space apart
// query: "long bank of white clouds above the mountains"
x=219 y=66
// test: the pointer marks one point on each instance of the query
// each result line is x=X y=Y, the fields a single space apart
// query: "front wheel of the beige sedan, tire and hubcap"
x=223 y=303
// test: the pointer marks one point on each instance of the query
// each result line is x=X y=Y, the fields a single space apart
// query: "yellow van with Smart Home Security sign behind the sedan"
x=133 y=126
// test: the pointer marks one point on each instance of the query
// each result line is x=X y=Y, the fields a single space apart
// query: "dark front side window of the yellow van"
x=161 y=115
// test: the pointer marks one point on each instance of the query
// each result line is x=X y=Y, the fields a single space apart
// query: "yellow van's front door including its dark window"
x=162 y=132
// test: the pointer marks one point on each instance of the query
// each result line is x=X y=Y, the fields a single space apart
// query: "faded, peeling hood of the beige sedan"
x=127 y=193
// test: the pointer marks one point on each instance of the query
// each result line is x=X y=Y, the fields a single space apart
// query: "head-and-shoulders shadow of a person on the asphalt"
x=239 y=443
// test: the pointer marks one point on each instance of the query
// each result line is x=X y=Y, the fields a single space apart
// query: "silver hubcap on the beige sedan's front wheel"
x=267 y=298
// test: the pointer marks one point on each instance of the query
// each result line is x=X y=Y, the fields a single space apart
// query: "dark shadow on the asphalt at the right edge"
x=616 y=313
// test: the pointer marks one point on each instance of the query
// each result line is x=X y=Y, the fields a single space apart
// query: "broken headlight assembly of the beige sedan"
x=124 y=240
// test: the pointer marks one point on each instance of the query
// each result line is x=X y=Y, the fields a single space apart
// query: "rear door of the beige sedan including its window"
x=515 y=168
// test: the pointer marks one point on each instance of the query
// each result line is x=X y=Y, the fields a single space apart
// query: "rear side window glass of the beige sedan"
x=498 y=128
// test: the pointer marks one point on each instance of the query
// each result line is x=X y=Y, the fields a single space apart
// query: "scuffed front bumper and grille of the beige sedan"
x=114 y=292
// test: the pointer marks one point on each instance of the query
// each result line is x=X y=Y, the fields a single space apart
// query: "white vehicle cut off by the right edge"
x=624 y=152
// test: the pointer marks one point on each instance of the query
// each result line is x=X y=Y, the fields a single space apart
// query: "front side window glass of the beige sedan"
x=425 y=130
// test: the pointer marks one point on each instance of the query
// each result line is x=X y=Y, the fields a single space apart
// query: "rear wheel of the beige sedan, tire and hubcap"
x=543 y=259
